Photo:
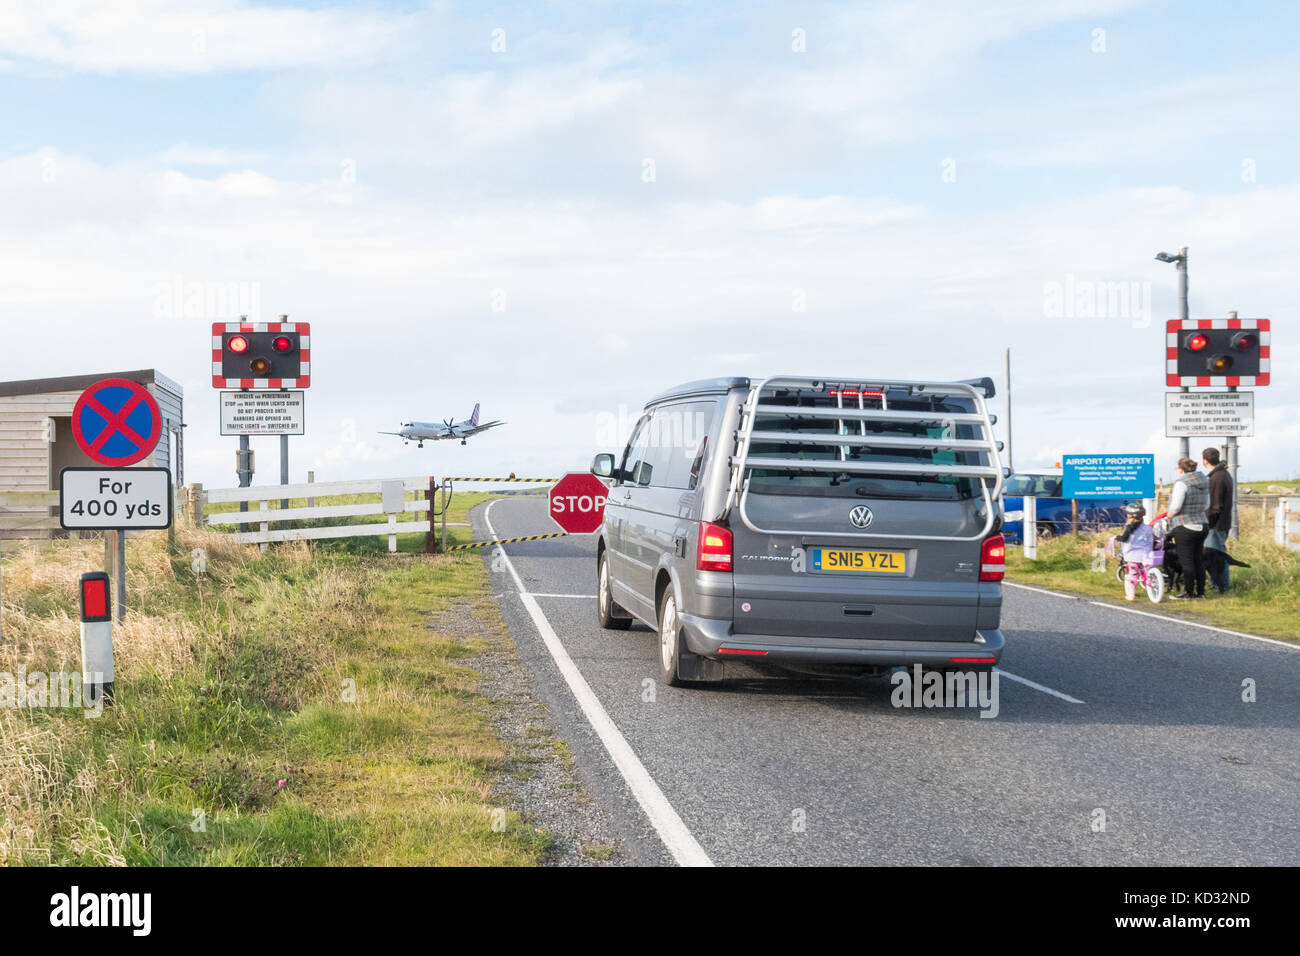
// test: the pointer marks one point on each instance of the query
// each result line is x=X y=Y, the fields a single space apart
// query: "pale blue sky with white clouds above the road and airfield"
x=561 y=210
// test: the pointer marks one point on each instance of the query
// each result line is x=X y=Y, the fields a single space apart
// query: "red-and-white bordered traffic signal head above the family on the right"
x=1217 y=352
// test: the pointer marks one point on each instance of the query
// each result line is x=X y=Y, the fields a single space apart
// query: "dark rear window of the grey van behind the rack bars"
x=856 y=485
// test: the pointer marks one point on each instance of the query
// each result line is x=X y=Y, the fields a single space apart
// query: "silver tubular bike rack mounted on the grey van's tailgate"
x=990 y=473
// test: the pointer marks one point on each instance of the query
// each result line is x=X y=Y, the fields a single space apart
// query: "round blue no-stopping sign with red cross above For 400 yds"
x=118 y=423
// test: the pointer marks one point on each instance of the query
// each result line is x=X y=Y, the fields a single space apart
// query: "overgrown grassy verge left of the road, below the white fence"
x=288 y=710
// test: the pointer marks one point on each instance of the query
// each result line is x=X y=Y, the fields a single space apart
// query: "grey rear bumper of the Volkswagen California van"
x=708 y=637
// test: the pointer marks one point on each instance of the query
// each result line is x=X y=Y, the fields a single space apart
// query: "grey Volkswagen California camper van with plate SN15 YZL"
x=820 y=525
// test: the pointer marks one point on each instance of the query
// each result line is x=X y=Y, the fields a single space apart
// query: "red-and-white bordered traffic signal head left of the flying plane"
x=261 y=356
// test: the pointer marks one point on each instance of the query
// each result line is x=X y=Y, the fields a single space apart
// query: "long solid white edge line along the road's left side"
x=679 y=841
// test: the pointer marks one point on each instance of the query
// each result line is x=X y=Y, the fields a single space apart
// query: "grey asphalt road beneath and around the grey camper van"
x=1137 y=719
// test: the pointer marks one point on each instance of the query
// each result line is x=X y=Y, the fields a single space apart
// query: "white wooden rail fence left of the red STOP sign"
x=266 y=508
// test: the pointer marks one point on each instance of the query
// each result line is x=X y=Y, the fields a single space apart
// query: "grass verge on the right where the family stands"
x=1264 y=599
